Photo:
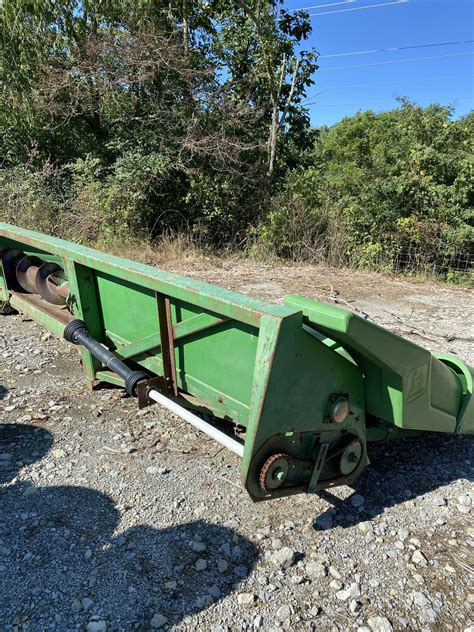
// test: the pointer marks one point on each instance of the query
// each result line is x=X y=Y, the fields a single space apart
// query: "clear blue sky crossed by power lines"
x=401 y=23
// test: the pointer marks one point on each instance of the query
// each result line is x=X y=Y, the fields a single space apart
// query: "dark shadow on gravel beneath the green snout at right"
x=400 y=471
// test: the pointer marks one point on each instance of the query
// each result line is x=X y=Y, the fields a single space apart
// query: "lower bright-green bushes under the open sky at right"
x=393 y=189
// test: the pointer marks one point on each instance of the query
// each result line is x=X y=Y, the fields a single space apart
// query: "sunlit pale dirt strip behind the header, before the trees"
x=436 y=316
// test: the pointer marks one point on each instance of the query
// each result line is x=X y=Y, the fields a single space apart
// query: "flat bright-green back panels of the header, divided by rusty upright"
x=215 y=364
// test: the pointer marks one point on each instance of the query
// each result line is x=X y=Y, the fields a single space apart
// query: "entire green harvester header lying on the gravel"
x=308 y=385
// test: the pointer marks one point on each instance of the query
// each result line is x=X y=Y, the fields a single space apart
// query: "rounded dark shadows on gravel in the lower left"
x=64 y=560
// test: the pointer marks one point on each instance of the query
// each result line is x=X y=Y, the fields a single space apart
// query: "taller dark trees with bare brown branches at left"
x=148 y=114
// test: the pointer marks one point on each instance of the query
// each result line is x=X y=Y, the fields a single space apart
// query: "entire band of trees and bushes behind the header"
x=124 y=118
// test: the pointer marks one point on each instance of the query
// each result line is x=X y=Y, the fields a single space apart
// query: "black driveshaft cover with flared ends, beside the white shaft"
x=77 y=333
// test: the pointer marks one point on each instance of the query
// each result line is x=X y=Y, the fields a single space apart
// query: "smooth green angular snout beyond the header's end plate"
x=404 y=384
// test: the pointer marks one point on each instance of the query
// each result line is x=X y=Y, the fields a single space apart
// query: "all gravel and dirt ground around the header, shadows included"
x=113 y=519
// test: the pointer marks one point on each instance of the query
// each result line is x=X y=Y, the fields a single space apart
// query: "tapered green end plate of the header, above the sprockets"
x=294 y=380
